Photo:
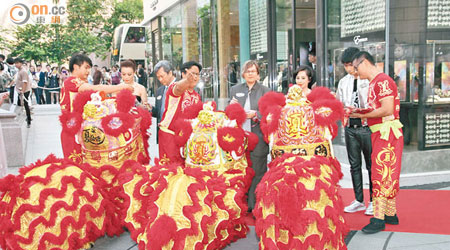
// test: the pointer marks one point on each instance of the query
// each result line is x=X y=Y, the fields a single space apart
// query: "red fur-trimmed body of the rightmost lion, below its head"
x=280 y=188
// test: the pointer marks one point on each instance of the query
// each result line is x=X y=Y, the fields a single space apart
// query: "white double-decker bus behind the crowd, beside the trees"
x=129 y=42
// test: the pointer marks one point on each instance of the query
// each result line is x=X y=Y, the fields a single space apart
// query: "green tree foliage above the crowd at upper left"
x=89 y=29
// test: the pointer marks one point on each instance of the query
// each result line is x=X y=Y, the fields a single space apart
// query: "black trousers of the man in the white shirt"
x=358 y=140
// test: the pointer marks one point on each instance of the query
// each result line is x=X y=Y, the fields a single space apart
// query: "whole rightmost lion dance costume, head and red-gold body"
x=298 y=206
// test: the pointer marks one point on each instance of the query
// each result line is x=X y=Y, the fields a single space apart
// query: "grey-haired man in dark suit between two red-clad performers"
x=164 y=74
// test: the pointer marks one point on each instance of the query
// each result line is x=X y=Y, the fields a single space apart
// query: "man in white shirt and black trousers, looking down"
x=353 y=92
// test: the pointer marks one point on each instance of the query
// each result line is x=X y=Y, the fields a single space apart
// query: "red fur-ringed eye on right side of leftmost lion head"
x=124 y=121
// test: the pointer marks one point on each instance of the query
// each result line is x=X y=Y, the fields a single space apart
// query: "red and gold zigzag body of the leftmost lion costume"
x=54 y=204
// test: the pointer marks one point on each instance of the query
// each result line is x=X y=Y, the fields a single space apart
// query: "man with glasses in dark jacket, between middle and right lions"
x=247 y=95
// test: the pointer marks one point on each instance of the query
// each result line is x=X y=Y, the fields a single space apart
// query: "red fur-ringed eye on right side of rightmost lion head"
x=327 y=118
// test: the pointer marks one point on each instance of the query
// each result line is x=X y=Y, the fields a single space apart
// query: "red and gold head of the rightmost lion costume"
x=300 y=125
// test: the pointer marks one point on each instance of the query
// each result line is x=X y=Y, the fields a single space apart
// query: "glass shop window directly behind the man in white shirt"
x=354 y=23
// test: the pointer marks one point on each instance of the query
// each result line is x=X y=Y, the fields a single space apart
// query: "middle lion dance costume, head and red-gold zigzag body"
x=199 y=205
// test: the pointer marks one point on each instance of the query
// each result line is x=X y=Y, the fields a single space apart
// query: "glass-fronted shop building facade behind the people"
x=410 y=40
